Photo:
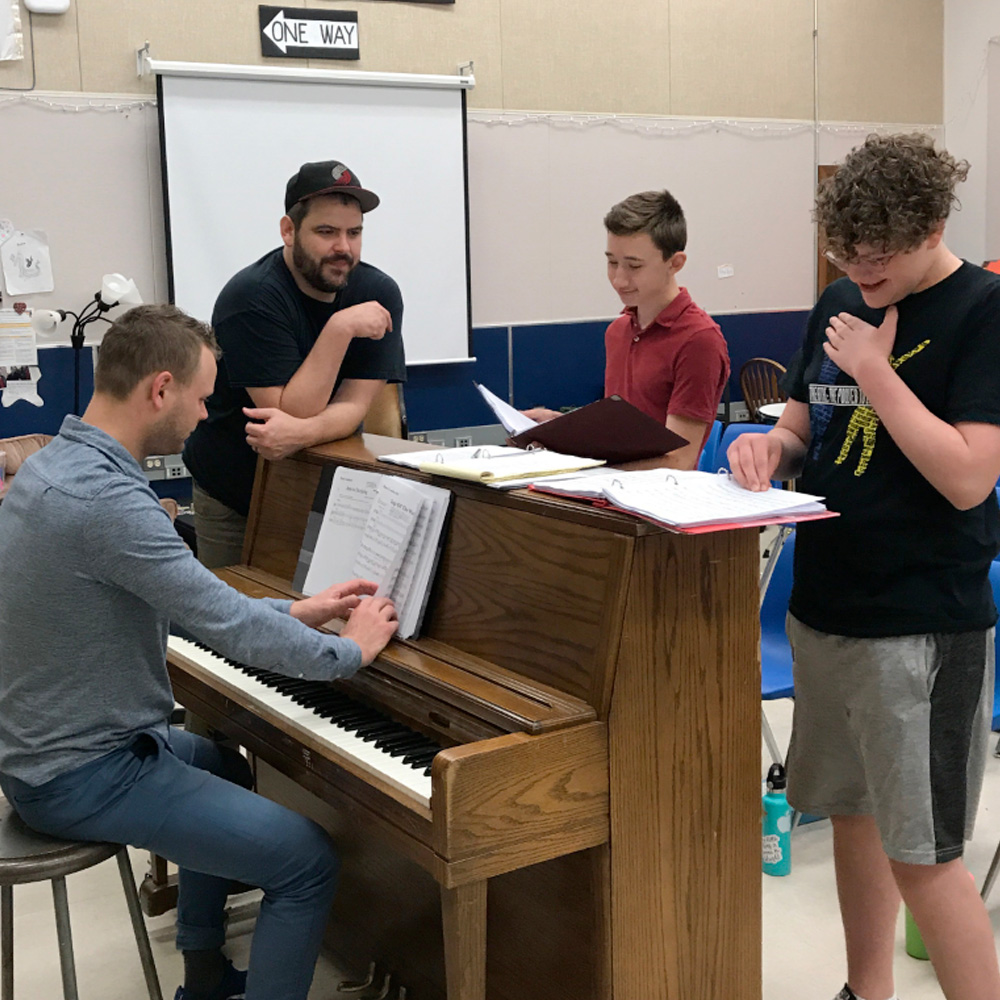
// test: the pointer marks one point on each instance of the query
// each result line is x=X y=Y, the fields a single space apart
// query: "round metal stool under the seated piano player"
x=27 y=856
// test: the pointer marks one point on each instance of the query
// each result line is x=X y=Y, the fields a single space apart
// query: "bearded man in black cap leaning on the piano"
x=309 y=336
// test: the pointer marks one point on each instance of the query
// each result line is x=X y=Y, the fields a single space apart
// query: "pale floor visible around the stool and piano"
x=802 y=948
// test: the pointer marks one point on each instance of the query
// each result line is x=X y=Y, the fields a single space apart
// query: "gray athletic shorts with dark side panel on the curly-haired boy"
x=894 y=728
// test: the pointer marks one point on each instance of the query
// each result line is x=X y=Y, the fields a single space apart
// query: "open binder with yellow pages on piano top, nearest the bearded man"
x=491 y=463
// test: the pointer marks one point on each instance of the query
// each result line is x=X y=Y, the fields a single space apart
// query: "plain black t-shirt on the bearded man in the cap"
x=266 y=326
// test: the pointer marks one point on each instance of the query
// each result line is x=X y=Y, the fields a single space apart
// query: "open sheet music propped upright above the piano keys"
x=381 y=528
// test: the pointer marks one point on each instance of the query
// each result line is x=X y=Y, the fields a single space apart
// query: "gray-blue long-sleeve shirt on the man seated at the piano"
x=91 y=573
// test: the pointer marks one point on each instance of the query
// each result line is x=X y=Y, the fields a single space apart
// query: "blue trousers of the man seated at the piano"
x=188 y=801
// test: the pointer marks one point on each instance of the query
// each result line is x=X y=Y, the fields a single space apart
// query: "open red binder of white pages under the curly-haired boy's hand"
x=686 y=500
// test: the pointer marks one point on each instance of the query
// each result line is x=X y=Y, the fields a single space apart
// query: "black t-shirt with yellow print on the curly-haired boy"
x=900 y=560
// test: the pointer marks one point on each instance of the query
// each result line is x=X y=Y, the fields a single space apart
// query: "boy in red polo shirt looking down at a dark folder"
x=663 y=354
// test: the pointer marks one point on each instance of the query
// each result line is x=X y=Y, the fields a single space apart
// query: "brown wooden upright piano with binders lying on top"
x=590 y=827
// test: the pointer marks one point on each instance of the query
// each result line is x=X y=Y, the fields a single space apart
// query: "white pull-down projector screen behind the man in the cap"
x=229 y=146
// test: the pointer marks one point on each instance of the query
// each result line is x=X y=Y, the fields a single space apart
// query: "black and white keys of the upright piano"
x=379 y=745
